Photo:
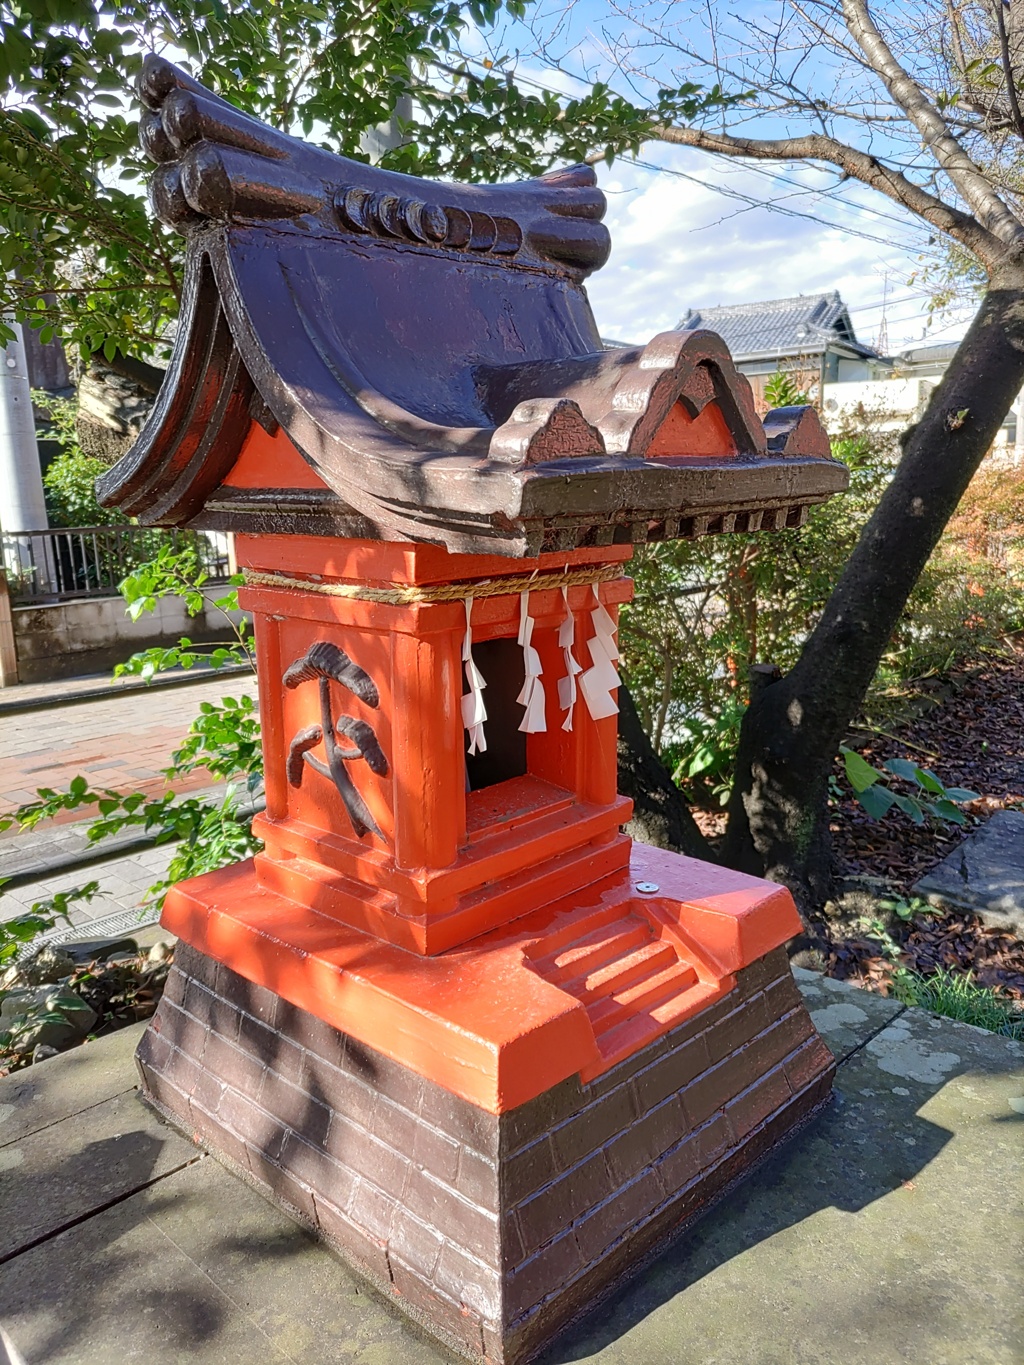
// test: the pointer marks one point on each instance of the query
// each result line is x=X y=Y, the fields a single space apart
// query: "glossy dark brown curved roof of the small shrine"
x=431 y=354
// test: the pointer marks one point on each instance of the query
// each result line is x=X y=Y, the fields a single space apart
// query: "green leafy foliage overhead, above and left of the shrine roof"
x=81 y=256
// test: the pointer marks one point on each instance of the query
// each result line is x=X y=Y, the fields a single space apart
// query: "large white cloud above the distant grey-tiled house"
x=681 y=244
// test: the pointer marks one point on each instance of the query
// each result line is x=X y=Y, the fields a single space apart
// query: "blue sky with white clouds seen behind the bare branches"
x=694 y=231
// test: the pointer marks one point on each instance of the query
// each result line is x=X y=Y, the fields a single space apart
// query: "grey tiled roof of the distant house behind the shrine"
x=809 y=324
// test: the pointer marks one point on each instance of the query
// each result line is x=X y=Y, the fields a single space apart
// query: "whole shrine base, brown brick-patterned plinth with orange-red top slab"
x=500 y=1134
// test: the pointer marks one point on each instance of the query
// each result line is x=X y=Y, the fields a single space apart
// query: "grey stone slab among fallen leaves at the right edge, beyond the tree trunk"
x=985 y=874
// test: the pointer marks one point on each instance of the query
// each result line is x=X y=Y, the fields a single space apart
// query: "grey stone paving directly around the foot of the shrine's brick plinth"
x=890 y=1232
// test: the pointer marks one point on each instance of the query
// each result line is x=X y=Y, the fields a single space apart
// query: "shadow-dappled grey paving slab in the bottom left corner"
x=197 y=1270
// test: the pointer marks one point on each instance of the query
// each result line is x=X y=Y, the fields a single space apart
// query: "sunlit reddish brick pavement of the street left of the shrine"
x=121 y=742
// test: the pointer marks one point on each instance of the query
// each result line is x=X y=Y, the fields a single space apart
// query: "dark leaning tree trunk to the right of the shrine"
x=795 y=724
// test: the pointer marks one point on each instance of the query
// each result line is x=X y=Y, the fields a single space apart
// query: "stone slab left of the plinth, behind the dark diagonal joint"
x=88 y=1161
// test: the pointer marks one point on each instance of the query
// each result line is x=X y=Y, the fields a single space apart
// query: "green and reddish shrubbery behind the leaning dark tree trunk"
x=705 y=611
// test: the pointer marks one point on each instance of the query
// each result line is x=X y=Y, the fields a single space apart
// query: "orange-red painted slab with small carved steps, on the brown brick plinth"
x=569 y=990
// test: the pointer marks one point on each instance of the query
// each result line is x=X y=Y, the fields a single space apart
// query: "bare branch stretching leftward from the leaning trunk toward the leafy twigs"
x=859 y=166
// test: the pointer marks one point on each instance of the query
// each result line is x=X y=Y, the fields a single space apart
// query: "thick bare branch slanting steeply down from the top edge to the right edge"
x=905 y=91
